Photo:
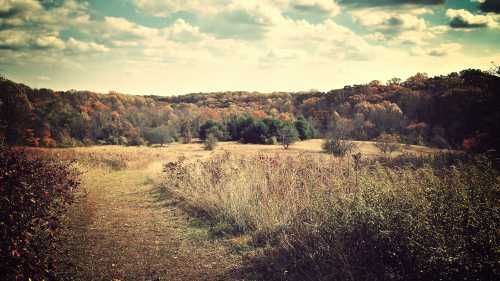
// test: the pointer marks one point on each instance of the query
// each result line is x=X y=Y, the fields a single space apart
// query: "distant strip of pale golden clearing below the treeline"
x=118 y=157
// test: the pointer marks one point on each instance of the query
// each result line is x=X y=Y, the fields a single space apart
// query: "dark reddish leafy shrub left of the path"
x=34 y=194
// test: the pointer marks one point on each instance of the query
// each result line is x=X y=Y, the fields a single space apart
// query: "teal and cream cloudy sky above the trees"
x=171 y=47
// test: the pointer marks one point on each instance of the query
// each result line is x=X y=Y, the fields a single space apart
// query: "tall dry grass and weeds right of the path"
x=324 y=220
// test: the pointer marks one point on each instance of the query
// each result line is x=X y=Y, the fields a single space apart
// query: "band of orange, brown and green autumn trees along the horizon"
x=459 y=110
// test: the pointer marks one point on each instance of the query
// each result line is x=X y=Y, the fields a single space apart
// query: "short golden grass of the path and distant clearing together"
x=140 y=232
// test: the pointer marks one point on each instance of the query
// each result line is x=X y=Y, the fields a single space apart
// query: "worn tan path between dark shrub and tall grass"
x=126 y=229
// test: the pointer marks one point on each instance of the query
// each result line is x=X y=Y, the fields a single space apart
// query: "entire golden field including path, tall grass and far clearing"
x=259 y=212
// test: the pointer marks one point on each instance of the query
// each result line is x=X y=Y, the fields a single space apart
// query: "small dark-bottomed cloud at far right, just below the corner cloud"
x=464 y=19
